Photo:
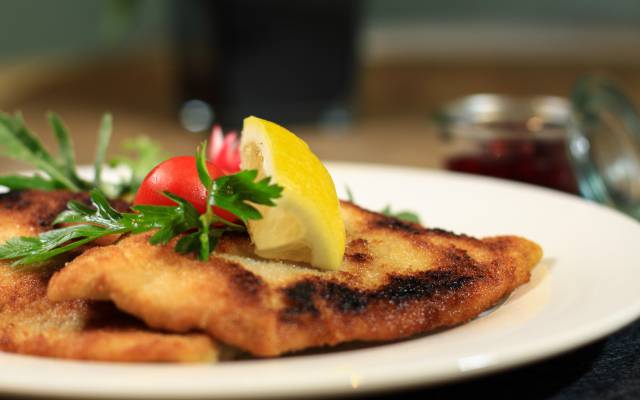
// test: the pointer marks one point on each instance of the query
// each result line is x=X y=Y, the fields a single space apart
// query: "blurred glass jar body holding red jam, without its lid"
x=511 y=138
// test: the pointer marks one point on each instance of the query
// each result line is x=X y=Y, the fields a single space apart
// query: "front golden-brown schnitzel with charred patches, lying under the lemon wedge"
x=398 y=279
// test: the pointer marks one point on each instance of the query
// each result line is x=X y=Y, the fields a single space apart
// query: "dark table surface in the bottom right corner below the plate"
x=605 y=370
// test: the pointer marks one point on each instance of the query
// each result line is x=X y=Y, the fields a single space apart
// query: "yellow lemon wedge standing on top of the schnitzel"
x=306 y=224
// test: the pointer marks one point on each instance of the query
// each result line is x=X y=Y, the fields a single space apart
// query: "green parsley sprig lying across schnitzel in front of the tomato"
x=236 y=193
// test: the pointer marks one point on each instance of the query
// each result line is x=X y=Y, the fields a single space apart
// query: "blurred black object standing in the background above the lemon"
x=287 y=61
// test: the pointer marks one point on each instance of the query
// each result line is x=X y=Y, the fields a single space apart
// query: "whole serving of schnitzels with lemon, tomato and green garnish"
x=120 y=298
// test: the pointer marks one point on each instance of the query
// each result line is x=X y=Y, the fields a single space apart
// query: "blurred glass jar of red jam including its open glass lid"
x=588 y=144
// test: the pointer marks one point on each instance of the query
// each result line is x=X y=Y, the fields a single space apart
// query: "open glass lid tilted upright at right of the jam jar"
x=604 y=144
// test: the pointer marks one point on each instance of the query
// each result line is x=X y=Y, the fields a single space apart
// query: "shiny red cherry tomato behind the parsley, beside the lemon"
x=179 y=176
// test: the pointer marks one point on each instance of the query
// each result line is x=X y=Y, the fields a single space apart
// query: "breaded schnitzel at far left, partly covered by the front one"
x=78 y=329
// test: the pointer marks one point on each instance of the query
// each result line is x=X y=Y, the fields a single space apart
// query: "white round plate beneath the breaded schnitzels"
x=587 y=286
